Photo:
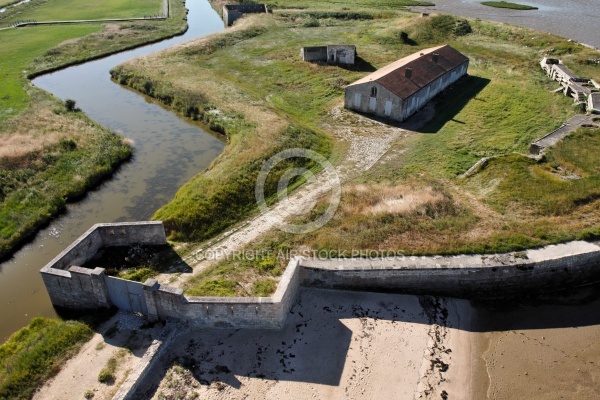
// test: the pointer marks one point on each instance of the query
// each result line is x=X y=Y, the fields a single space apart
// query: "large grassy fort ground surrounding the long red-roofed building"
x=412 y=201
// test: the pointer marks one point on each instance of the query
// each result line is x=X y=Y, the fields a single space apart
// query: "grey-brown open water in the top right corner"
x=573 y=19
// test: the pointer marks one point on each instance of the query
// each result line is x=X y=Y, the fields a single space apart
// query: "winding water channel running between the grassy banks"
x=168 y=152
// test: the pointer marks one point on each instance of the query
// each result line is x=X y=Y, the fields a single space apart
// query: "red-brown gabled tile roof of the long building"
x=424 y=70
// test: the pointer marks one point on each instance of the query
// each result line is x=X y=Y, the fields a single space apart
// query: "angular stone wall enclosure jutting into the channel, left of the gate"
x=71 y=286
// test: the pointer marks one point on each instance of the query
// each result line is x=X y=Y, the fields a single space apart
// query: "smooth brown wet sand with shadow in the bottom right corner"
x=545 y=351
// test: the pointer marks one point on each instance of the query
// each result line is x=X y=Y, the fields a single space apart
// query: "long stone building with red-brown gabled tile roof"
x=398 y=90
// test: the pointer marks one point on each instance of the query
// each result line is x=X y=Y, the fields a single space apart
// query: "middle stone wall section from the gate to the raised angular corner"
x=224 y=312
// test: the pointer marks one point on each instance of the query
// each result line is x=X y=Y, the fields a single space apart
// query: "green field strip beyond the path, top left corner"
x=61 y=10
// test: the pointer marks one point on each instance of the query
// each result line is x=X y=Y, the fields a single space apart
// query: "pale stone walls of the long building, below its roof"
x=399 y=109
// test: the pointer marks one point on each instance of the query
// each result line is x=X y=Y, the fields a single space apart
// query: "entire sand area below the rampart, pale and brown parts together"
x=355 y=345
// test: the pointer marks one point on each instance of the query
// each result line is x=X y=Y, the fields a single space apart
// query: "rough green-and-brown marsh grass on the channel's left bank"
x=47 y=161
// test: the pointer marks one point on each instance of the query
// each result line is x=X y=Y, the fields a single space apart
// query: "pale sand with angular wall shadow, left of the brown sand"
x=335 y=345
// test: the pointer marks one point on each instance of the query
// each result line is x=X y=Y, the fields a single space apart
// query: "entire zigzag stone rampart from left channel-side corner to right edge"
x=474 y=276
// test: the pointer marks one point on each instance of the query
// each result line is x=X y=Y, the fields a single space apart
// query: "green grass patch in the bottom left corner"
x=35 y=353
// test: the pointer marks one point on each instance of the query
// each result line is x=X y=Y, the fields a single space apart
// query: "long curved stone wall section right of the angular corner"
x=494 y=276
